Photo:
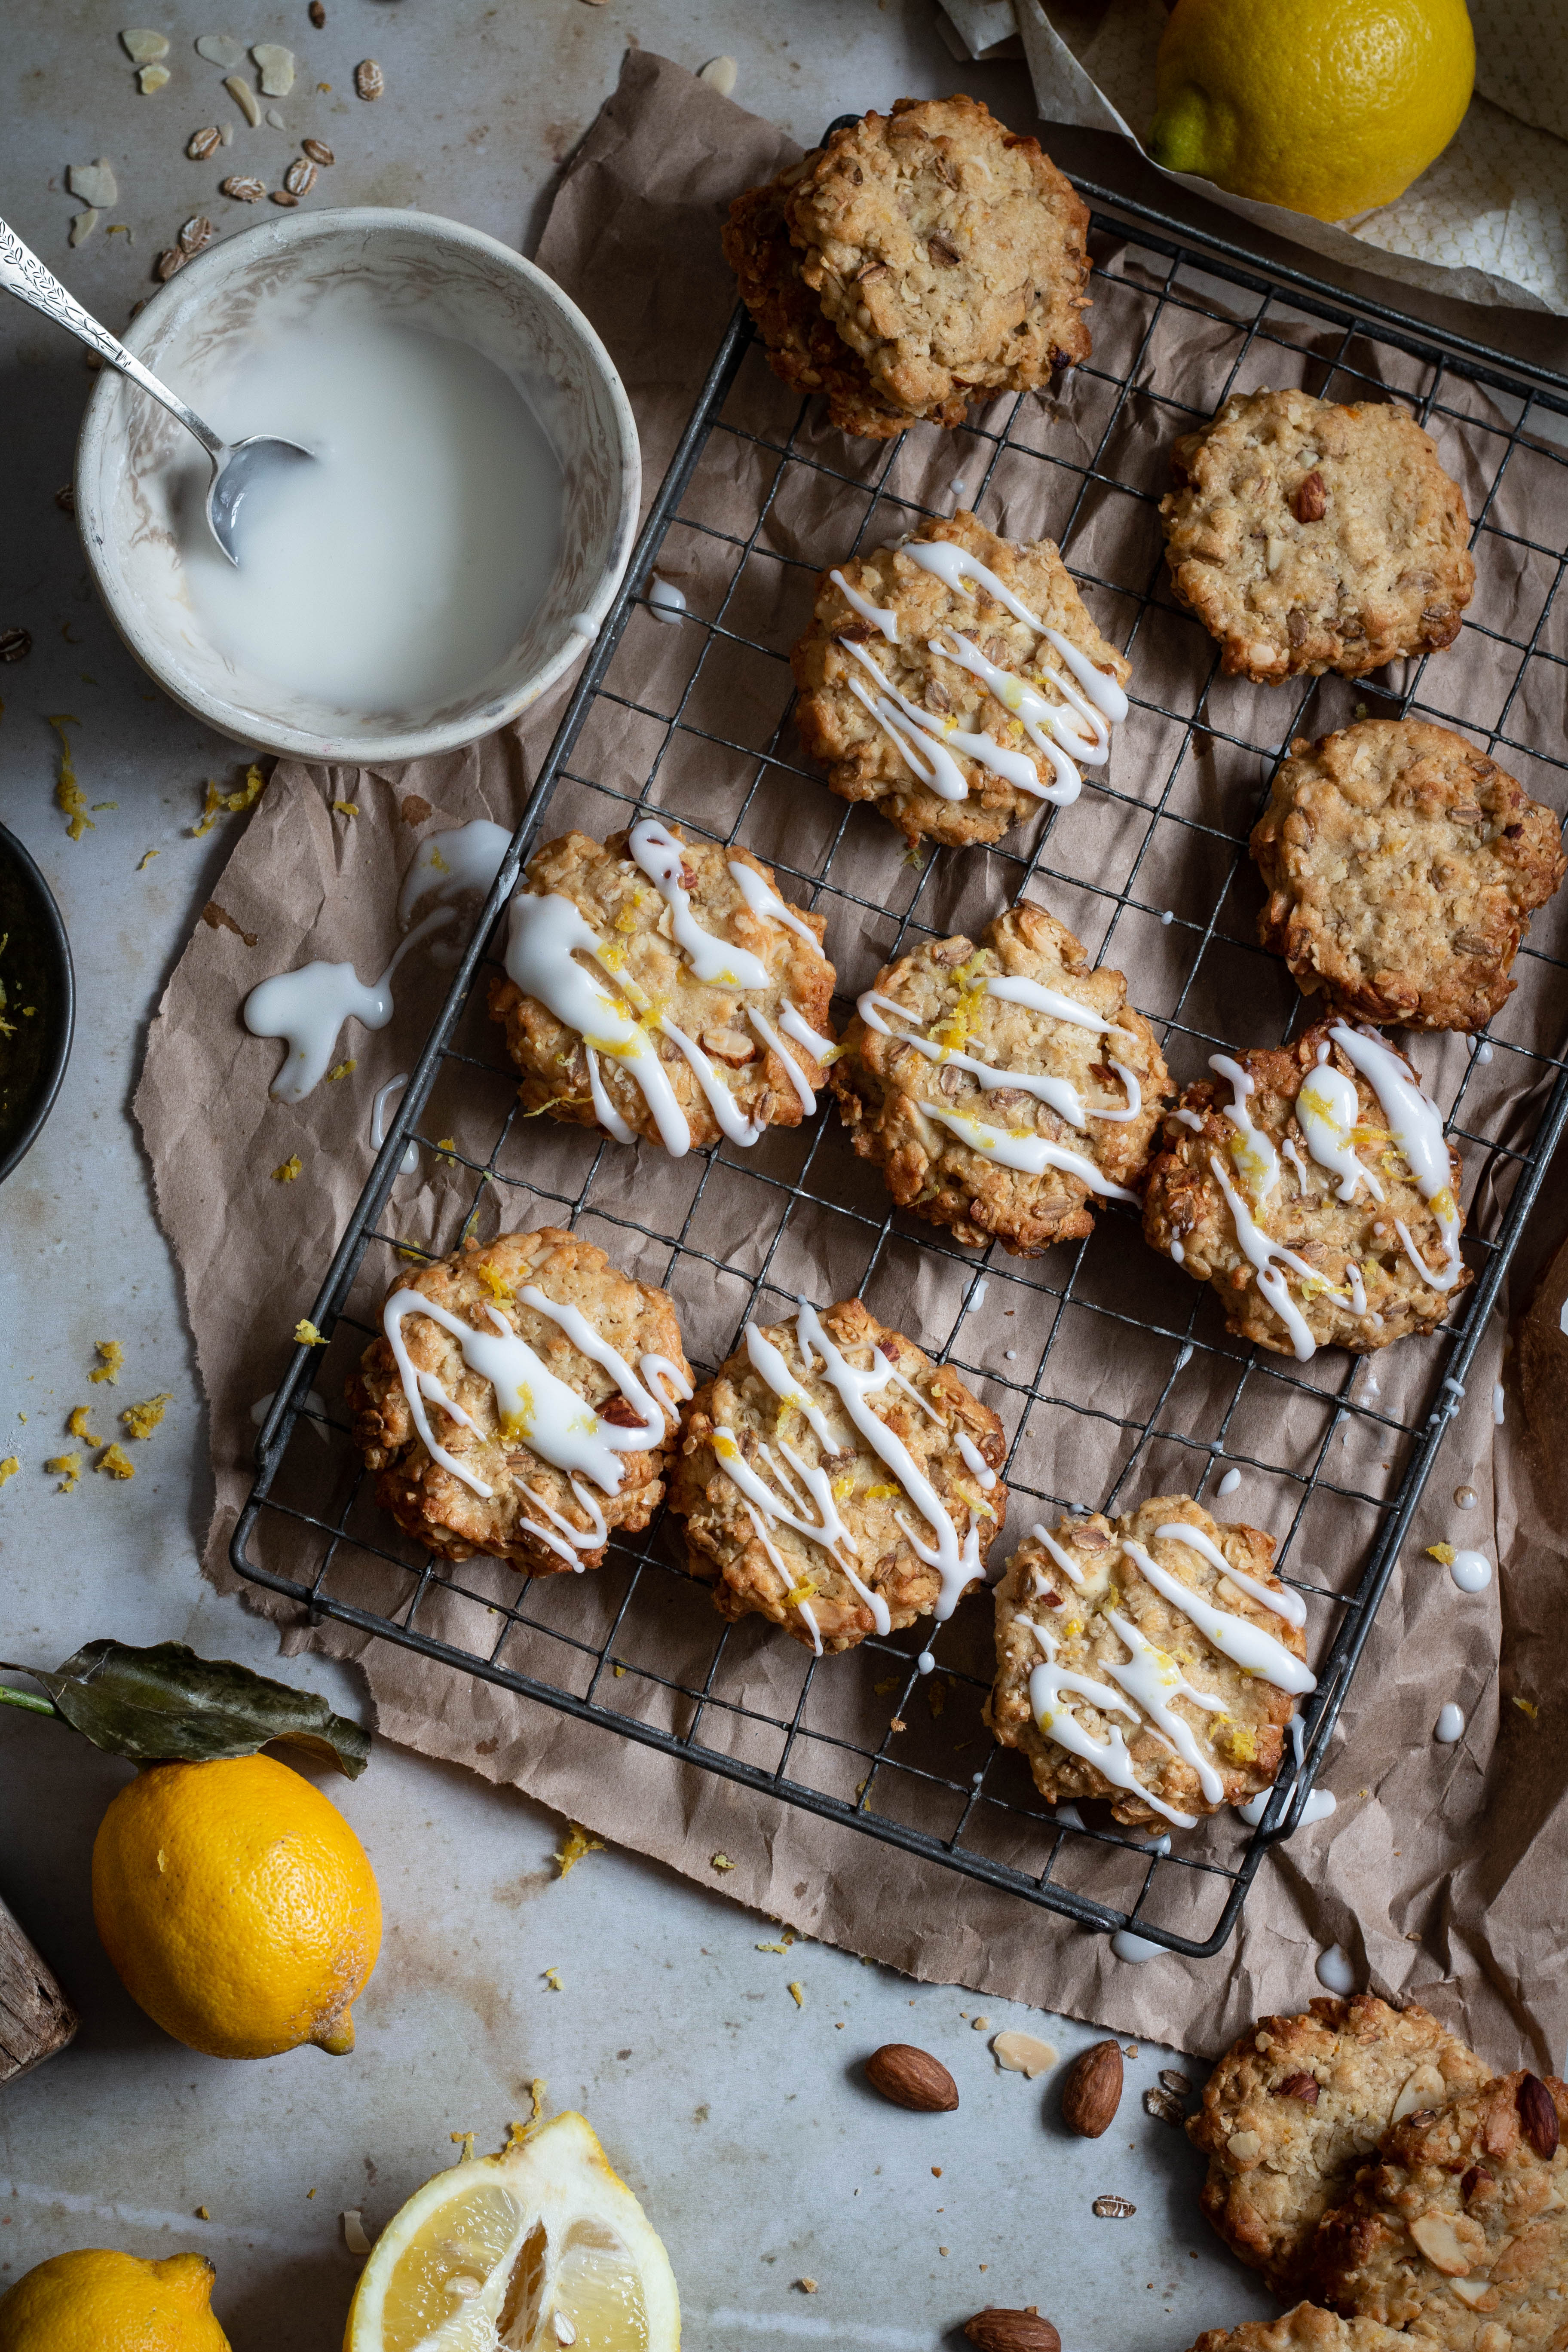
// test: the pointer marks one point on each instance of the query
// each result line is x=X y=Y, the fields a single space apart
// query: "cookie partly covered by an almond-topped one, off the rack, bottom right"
x=1299 y=2104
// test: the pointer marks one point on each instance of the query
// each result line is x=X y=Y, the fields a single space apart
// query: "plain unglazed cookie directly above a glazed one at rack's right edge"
x=1402 y=869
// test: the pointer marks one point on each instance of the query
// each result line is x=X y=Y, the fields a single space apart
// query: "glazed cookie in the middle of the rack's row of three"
x=1003 y=1088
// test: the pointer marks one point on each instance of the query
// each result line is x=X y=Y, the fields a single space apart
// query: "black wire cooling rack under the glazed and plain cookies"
x=638 y=1650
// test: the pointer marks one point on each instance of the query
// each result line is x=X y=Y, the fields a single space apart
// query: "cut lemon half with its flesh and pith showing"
x=528 y=2252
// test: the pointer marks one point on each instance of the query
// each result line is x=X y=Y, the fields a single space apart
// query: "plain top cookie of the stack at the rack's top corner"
x=946 y=250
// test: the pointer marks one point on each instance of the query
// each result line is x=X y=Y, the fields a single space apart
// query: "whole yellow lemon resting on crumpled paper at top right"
x=1327 y=107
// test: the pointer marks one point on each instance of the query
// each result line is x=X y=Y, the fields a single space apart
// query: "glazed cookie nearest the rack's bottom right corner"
x=1151 y=1659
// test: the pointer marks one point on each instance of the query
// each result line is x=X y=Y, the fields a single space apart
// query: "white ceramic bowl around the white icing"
x=441 y=276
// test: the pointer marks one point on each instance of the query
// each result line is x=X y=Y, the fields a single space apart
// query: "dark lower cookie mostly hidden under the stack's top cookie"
x=803 y=347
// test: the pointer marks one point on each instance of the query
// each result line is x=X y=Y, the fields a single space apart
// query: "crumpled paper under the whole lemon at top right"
x=1487 y=222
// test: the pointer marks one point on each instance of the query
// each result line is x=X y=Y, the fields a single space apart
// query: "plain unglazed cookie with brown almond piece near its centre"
x=1313 y=537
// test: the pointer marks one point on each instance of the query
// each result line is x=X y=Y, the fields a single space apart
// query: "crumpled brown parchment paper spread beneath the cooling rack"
x=1442 y=1871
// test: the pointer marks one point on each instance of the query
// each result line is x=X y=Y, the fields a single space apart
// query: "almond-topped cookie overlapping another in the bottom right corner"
x=1459 y=2233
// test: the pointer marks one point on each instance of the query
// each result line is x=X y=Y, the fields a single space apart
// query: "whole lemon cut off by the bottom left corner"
x=102 y=2301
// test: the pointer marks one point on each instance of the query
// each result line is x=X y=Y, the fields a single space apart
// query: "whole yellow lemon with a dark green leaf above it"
x=239 y=1906
